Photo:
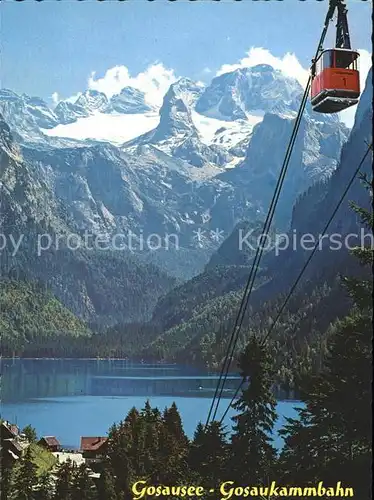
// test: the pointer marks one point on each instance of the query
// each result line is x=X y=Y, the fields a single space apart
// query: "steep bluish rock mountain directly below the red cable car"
x=314 y=158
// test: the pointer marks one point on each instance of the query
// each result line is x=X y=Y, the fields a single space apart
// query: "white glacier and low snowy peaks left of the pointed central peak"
x=92 y=116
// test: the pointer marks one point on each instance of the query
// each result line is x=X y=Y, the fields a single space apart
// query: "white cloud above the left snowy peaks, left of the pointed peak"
x=154 y=82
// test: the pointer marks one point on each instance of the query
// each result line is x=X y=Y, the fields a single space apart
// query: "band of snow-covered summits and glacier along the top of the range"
x=211 y=125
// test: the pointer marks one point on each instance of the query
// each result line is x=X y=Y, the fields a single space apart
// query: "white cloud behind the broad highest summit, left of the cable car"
x=288 y=64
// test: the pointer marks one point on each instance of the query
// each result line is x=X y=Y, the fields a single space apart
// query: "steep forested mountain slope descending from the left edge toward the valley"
x=96 y=285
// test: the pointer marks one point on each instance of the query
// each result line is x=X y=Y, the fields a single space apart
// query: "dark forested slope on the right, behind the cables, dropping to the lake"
x=197 y=316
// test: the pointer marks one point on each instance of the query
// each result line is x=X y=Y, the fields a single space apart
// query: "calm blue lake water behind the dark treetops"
x=73 y=398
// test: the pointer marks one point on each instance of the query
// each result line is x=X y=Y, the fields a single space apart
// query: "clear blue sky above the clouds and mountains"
x=53 y=47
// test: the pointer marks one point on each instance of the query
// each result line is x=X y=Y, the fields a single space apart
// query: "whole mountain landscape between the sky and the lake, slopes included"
x=180 y=183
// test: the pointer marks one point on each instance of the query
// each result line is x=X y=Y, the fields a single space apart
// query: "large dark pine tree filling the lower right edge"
x=335 y=426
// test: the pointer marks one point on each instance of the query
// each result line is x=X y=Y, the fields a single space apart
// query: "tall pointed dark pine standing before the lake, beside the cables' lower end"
x=253 y=455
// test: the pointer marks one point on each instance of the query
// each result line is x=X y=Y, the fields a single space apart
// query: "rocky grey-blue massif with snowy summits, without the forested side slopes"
x=182 y=167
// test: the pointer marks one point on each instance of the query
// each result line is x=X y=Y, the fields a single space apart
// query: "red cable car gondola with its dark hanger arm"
x=335 y=76
